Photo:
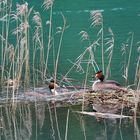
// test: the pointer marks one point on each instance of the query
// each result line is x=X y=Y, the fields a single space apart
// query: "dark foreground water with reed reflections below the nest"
x=41 y=121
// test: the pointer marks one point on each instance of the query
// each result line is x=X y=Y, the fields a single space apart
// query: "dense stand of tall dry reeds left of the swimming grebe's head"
x=18 y=62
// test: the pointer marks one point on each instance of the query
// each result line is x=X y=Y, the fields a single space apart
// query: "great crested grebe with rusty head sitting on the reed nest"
x=102 y=85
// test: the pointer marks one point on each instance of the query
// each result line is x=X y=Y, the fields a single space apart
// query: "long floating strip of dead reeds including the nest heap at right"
x=126 y=103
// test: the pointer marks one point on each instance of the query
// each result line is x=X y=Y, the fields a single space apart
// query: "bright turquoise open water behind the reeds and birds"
x=122 y=17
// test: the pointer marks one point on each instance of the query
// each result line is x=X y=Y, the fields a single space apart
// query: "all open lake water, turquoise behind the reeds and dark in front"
x=37 y=121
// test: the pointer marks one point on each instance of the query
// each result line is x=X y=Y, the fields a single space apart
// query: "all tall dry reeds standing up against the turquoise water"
x=19 y=64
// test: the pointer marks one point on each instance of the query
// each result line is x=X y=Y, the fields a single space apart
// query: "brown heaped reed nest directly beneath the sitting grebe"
x=114 y=102
